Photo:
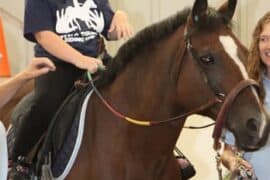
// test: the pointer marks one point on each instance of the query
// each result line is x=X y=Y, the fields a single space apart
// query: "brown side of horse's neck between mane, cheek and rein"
x=146 y=84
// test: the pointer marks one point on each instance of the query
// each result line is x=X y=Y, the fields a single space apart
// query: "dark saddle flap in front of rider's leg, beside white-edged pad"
x=60 y=136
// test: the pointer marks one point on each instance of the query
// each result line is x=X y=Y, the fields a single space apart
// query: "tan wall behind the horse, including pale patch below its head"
x=196 y=144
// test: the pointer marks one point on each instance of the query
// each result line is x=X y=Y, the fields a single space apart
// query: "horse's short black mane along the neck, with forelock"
x=152 y=34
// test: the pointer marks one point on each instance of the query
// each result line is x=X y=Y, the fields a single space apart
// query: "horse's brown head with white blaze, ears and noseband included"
x=213 y=63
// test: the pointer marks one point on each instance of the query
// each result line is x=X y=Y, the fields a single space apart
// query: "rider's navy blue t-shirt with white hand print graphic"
x=77 y=22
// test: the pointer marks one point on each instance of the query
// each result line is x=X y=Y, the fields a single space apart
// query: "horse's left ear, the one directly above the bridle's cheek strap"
x=199 y=10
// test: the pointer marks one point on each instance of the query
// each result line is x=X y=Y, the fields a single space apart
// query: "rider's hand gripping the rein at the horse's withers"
x=89 y=63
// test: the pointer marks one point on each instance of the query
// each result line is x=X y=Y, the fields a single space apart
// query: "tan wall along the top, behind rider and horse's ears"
x=141 y=12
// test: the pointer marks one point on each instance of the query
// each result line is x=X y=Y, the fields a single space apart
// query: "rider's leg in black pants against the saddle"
x=50 y=90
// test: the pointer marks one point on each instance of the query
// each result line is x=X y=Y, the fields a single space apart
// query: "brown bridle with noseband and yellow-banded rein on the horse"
x=227 y=100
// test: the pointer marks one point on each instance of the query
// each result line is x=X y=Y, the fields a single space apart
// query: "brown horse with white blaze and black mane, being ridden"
x=191 y=63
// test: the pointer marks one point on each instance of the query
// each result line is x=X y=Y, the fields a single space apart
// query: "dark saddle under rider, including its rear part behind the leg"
x=54 y=143
